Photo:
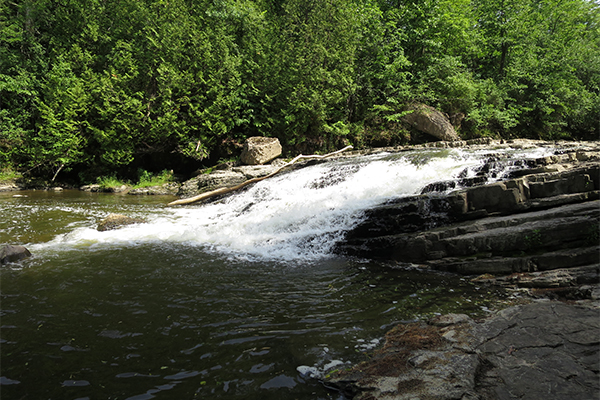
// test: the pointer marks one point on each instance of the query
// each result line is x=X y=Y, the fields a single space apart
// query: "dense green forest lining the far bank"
x=106 y=86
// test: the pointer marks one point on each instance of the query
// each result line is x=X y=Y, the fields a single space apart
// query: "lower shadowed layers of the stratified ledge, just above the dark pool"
x=497 y=244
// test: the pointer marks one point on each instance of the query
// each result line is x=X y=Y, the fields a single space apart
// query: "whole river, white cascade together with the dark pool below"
x=241 y=298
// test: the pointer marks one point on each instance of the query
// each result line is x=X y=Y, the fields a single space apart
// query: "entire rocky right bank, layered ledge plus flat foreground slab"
x=536 y=232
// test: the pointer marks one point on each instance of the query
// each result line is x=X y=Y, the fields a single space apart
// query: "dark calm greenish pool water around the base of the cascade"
x=171 y=320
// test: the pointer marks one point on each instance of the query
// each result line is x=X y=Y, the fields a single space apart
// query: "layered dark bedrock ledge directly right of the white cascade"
x=544 y=216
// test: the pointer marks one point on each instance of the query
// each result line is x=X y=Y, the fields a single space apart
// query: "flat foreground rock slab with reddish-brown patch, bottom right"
x=544 y=350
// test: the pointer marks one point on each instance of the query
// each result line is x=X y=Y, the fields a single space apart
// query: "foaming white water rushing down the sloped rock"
x=294 y=216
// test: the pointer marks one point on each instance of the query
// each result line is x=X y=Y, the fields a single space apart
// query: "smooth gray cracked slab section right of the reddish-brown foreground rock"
x=541 y=351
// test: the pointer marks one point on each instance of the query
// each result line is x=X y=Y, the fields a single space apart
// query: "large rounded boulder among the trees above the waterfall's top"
x=429 y=120
